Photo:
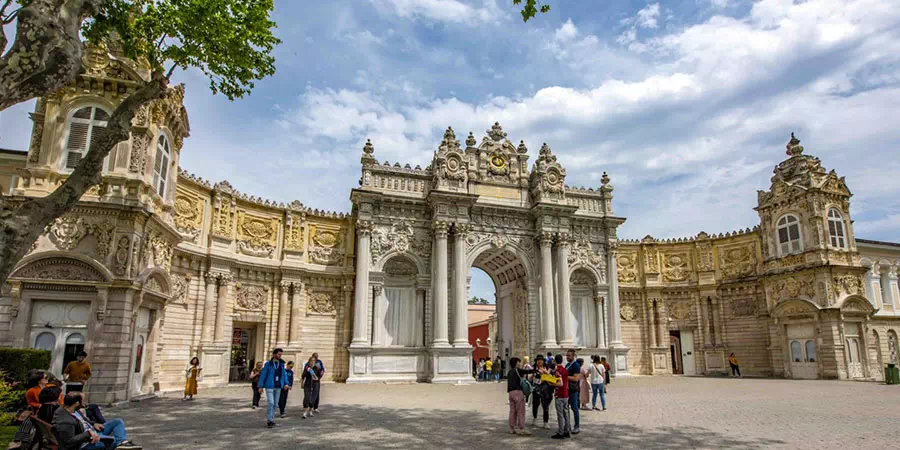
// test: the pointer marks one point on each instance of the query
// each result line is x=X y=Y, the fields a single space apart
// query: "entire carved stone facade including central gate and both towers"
x=204 y=270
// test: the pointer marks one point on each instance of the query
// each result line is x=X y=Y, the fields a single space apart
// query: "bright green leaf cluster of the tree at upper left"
x=230 y=41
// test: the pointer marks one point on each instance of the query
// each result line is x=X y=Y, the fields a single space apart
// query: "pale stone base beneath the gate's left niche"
x=387 y=365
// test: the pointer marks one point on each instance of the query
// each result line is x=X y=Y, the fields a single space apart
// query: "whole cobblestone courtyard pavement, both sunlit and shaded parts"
x=644 y=413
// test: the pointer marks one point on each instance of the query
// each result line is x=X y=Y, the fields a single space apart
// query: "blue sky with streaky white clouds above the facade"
x=686 y=104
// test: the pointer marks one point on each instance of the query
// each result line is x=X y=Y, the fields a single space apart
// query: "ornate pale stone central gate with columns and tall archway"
x=419 y=231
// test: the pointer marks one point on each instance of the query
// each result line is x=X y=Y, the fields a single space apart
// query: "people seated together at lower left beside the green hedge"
x=74 y=424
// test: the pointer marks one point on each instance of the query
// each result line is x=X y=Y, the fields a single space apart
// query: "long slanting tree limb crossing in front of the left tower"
x=22 y=221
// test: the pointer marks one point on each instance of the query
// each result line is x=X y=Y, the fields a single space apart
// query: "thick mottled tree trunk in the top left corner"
x=46 y=53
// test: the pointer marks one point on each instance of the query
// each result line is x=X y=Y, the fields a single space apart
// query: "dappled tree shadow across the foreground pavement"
x=218 y=423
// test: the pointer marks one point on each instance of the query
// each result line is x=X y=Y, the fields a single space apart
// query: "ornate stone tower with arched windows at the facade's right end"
x=813 y=279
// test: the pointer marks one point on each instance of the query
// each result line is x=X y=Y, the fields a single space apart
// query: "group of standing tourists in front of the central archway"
x=569 y=384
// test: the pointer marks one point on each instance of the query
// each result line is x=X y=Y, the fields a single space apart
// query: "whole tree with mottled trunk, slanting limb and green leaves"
x=230 y=41
